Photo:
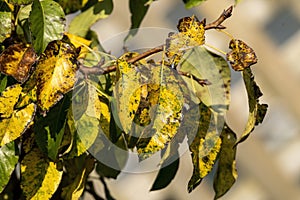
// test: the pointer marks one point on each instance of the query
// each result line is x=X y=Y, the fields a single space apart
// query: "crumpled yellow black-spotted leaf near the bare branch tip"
x=191 y=34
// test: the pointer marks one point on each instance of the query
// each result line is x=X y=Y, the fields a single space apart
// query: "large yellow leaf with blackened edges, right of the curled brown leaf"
x=55 y=74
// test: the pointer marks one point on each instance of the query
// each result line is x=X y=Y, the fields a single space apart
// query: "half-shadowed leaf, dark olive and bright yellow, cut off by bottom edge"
x=39 y=177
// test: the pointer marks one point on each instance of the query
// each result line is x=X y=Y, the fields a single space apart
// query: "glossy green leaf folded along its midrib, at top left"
x=47 y=23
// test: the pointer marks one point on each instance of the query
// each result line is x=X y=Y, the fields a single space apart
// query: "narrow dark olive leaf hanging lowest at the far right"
x=226 y=172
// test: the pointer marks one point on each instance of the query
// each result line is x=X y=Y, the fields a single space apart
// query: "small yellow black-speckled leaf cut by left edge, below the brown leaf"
x=8 y=98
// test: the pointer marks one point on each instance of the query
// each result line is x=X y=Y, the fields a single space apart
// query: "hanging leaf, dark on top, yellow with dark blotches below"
x=205 y=147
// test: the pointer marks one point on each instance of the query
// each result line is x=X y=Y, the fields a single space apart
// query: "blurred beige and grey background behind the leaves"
x=268 y=163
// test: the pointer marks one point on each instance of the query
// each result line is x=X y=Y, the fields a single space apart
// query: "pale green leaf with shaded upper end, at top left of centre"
x=81 y=24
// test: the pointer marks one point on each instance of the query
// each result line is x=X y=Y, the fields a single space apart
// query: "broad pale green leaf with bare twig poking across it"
x=206 y=65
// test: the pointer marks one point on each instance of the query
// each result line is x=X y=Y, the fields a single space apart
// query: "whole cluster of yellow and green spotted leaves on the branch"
x=65 y=102
